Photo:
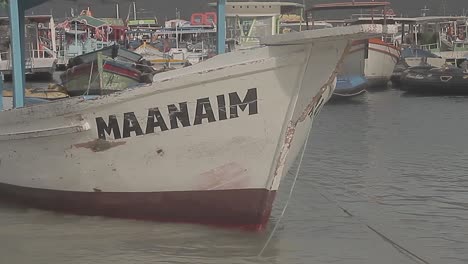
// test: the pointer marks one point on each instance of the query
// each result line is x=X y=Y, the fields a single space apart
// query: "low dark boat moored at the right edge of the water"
x=433 y=80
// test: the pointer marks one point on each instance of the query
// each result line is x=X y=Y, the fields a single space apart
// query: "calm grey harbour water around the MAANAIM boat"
x=398 y=165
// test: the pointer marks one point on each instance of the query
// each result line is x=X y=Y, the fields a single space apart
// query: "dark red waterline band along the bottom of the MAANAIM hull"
x=240 y=208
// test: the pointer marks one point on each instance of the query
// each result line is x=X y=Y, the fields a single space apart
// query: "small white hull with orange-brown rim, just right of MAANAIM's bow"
x=380 y=63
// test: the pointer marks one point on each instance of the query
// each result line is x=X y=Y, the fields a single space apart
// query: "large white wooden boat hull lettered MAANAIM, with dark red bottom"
x=209 y=143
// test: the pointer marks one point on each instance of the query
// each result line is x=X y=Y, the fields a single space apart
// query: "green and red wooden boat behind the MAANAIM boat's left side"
x=105 y=71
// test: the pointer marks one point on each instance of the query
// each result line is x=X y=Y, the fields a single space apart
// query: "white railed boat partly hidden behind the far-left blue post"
x=40 y=53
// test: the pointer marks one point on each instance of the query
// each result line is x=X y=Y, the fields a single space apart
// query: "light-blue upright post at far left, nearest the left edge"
x=17 y=50
